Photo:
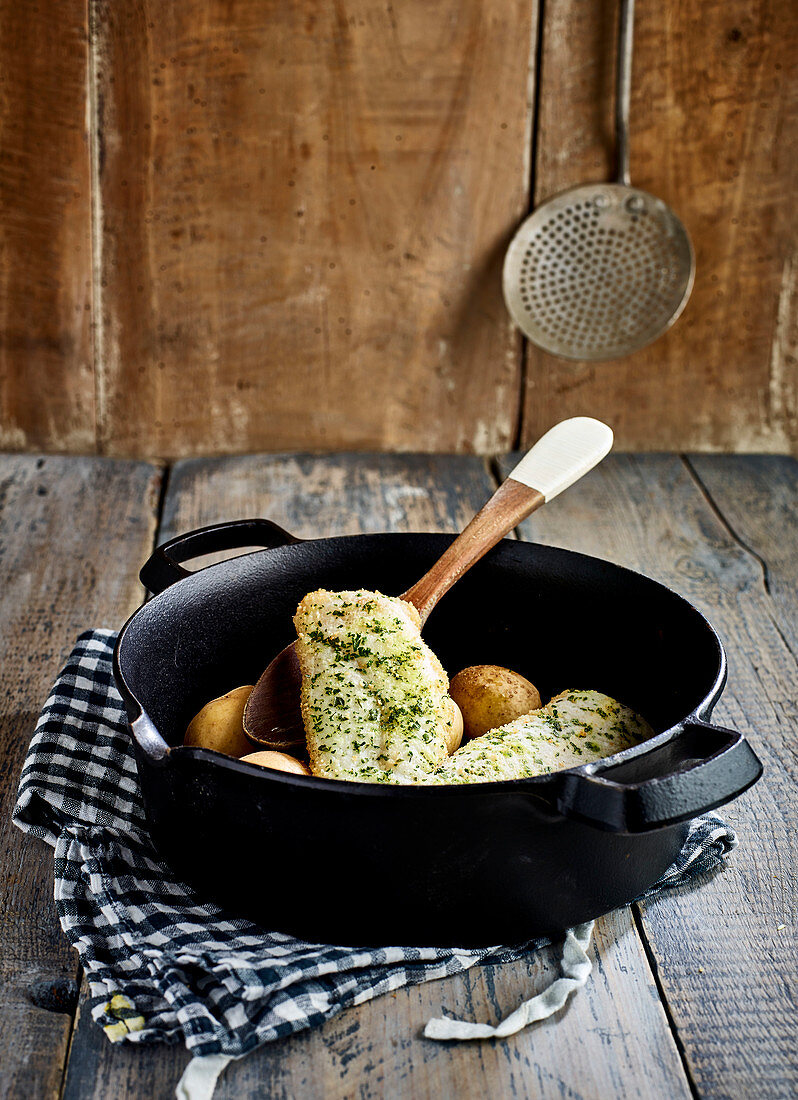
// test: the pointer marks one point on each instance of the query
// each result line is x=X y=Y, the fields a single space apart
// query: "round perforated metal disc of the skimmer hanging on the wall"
x=598 y=272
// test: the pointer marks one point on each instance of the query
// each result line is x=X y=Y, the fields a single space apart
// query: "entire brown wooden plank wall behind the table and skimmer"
x=241 y=226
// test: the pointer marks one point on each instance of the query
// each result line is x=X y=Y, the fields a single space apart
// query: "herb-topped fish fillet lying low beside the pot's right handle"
x=576 y=728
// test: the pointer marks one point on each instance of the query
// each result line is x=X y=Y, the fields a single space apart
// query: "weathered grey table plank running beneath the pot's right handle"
x=727 y=970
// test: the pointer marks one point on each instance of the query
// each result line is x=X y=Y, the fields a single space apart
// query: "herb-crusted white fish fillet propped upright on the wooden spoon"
x=374 y=695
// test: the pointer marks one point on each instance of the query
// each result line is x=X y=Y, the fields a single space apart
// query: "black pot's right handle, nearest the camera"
x=701 y=768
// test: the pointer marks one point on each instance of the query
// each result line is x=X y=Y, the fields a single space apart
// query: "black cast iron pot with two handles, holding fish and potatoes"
x=480 y=864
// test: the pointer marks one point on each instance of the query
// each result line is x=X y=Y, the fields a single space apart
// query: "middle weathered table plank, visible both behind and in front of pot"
x=615 y=1031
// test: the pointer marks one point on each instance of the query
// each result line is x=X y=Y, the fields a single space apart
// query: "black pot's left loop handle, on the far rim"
x=165 y=567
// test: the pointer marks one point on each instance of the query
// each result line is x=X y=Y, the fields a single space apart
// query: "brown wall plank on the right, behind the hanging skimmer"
x=715 y=134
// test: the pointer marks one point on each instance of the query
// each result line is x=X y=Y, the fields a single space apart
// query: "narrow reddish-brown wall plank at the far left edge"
x=47 y=362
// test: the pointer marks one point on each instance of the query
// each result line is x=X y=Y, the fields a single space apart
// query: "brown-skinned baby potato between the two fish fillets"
x=489 y=697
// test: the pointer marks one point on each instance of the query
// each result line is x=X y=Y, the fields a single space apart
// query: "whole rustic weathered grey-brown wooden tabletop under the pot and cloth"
x=693 y=995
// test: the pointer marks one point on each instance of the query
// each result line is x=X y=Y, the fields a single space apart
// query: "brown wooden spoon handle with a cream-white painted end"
x=557 y=460
